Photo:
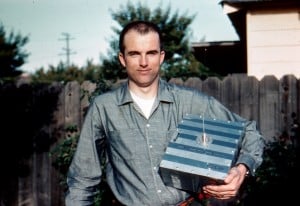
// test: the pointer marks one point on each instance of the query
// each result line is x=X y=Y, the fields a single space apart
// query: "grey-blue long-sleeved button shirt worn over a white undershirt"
x=134 y=145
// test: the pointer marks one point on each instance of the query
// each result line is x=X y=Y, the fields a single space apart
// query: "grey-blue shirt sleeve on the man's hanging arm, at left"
x=85 y=172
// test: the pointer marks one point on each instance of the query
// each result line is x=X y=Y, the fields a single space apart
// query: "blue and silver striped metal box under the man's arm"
x=202 y=153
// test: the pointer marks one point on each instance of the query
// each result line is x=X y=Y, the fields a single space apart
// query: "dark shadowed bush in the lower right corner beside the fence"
x=277 y=177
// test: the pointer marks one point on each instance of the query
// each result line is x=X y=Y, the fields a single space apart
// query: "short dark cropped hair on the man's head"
x=142 y=27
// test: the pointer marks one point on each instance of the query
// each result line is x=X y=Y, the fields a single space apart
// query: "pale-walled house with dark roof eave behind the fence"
x=270 y=33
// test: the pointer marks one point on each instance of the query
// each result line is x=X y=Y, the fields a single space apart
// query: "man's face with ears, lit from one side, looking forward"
x=142 y=57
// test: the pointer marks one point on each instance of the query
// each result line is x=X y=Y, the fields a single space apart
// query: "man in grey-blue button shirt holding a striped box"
x=134 y=124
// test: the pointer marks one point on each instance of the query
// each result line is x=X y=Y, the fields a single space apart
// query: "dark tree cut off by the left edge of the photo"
x=12 y=56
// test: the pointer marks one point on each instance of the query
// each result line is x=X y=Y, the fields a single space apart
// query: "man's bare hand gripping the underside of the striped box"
x=231 y=185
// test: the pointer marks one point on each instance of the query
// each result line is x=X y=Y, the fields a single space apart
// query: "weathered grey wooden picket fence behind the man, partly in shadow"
x=27 y=175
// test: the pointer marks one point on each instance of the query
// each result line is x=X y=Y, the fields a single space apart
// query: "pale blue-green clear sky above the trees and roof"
x=89 y=26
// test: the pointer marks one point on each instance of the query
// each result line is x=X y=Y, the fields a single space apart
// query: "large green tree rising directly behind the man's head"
x=179 y=60
